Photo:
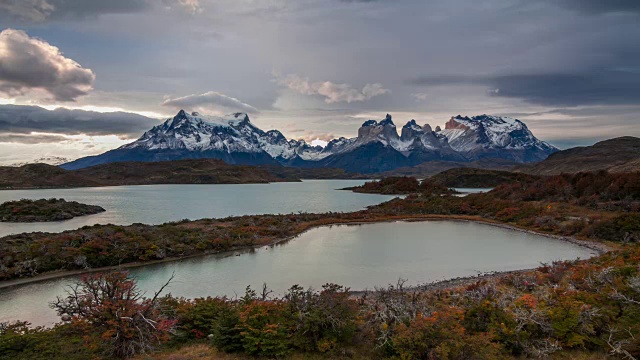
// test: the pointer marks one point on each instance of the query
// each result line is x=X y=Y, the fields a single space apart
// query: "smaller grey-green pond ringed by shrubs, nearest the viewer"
x=358 y=256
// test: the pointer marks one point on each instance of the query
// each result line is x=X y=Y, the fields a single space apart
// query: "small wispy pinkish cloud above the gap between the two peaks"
x=332 y=92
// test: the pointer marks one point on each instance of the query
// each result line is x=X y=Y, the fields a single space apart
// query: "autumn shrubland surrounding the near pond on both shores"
x=573 y=309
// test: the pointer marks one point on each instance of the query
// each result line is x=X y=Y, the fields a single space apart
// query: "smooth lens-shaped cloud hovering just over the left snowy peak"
x=209 y=102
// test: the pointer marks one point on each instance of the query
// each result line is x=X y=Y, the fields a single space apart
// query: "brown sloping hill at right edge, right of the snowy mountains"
x=615 y=155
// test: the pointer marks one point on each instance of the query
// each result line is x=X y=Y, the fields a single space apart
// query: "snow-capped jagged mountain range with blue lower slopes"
x=377 y=148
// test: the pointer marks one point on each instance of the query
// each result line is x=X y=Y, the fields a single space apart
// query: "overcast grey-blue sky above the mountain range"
x=314 y=69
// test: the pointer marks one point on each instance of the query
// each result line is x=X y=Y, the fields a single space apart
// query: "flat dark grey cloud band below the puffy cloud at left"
x=16 y=119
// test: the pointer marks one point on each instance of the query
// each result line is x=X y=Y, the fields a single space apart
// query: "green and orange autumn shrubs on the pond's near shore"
x=590 y=306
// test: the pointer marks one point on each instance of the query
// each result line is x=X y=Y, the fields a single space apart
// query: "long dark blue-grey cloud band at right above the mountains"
x=597 y=87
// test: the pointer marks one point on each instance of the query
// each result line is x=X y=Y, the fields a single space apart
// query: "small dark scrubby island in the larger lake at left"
x=44 y=210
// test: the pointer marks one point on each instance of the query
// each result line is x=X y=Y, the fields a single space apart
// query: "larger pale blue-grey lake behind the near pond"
x=157 y=204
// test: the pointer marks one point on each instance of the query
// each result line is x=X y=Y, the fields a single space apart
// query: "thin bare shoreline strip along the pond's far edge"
x=598 y=247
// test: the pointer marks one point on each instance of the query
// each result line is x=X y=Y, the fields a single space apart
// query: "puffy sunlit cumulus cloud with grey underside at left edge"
x=28 y=64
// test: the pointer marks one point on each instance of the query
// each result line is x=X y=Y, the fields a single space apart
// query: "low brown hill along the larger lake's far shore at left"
x=201 y=171
